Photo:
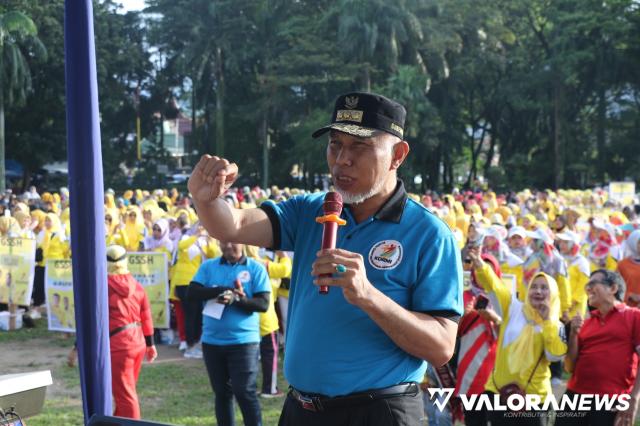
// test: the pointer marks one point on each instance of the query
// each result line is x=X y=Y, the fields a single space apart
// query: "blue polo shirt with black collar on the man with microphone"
x=334 y=348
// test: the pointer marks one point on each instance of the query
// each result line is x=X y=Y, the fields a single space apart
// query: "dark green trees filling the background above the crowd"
x=486 y=84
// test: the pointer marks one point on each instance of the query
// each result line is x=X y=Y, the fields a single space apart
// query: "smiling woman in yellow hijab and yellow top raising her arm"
x=531 y=337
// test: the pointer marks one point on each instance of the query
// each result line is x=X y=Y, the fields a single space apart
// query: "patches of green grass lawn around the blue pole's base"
x=173 y=390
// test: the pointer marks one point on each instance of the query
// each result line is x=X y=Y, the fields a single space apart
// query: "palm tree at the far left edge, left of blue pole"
x=18 y=39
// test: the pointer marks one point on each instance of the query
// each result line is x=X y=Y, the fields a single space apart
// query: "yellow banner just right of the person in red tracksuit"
x=150 y=270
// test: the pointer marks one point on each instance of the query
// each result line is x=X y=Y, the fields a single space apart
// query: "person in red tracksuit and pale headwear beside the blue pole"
x=130 y=331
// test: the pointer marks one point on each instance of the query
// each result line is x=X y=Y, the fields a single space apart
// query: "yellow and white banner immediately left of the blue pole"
x=59 y=290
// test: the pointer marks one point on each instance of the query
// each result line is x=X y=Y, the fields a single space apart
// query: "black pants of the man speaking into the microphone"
x=398 y=411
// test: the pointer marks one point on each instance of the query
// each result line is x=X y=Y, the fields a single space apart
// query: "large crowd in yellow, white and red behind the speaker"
x=573 y=258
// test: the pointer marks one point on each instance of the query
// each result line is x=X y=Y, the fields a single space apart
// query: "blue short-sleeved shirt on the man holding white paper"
x=236 y=326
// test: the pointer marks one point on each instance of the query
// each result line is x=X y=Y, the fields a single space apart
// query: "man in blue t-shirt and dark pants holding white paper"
x=233 y=289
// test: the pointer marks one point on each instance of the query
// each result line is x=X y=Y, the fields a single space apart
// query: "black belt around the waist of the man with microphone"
x=315 y=402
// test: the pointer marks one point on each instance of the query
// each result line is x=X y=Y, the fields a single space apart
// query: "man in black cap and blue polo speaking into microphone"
x=356 y=354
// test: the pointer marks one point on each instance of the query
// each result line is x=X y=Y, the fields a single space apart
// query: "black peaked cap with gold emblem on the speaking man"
x=364 y=114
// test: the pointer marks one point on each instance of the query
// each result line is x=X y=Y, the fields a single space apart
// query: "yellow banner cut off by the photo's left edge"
x=17 y=263
